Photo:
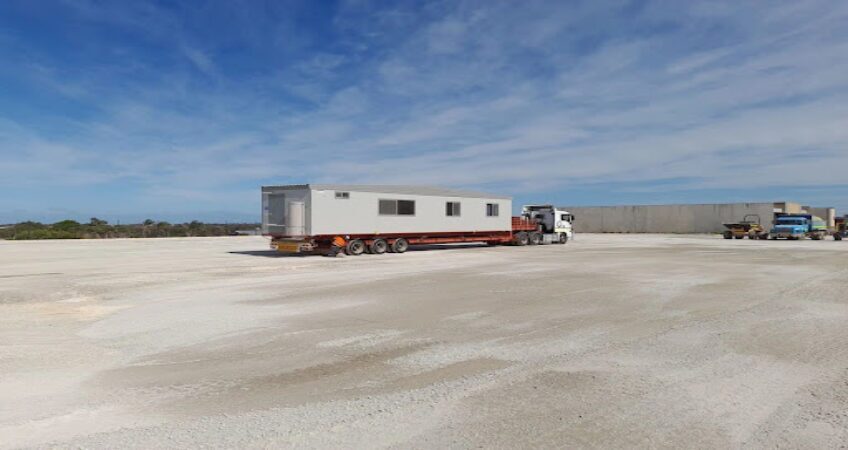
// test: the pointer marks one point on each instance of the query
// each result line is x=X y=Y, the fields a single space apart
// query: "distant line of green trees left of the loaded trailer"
x=101 y=229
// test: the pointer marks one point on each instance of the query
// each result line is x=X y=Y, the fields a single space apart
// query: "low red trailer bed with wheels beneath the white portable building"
x=522 y=229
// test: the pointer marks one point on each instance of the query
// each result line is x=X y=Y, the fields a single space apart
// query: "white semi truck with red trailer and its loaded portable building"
x=359 y=219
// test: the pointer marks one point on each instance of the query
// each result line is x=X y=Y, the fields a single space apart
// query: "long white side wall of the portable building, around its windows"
x=359 y=214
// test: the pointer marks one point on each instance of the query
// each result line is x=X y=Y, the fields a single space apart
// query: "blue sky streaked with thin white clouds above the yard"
x=181 y=110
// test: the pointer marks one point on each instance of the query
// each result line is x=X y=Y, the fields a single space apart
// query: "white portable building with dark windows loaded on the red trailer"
x=330 y=209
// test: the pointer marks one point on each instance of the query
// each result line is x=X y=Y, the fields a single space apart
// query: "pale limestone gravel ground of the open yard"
x=611 y=341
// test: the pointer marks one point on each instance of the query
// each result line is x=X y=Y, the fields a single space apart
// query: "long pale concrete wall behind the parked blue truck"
x=683 y=218
